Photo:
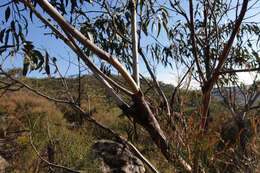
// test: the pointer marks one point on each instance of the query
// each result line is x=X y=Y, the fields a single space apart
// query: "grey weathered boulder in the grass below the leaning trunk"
x=116 y=158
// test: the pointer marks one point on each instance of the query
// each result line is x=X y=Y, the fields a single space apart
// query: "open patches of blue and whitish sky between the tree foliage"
x=63 y=54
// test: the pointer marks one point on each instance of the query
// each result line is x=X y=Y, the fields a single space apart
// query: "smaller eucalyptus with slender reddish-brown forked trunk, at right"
x=219 y=45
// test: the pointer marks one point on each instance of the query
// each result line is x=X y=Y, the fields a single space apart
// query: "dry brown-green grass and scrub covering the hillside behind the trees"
x=62 y=136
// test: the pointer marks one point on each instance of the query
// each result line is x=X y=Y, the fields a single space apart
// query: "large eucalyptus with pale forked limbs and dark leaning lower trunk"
x=103 y=36
